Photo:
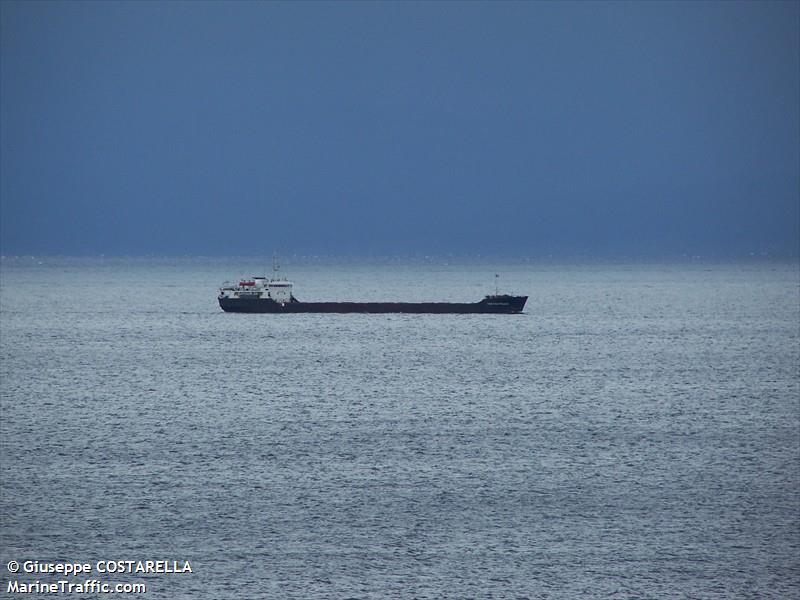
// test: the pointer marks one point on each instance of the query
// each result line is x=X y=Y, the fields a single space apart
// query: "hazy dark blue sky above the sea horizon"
x=400 y=128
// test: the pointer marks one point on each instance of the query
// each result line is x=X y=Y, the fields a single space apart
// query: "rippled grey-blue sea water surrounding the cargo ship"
x=634 y=434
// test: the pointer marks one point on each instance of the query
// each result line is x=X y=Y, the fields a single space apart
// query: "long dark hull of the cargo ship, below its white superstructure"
x=489 y=305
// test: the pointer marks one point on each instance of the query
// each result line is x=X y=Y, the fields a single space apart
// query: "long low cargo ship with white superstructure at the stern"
x=262 y=295
